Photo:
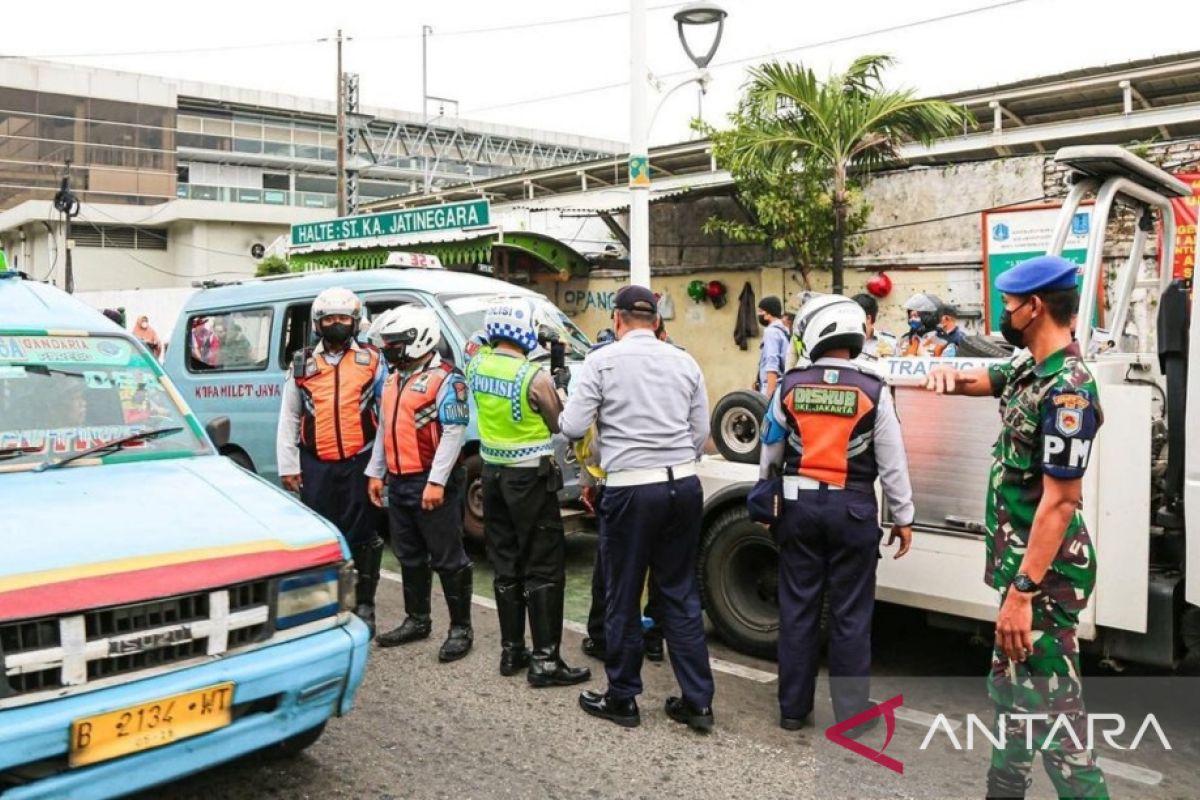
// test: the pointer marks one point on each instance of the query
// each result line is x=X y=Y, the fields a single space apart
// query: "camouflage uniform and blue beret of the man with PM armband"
x=1051 y=413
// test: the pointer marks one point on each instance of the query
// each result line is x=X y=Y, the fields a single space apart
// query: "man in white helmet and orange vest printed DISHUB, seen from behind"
x=833 y=430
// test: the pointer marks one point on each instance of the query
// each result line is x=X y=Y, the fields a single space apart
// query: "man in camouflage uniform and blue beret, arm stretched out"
x=1040 y=556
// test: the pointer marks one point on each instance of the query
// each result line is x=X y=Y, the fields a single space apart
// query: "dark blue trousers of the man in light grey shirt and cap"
x=655 y=527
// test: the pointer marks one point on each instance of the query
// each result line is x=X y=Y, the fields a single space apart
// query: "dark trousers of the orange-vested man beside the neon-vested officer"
x=431 y=539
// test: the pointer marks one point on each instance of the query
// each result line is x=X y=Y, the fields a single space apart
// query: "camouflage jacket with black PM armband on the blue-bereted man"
x=1051 y=414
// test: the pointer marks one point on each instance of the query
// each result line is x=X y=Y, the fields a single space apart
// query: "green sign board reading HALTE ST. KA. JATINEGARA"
x=406 y=222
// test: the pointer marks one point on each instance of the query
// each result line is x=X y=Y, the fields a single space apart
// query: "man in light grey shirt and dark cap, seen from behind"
x=649 y=402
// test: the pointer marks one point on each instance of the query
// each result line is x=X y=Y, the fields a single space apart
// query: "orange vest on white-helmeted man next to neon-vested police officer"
x=412 y=429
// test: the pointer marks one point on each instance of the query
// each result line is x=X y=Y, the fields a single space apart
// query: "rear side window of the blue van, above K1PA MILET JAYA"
x=237 y=341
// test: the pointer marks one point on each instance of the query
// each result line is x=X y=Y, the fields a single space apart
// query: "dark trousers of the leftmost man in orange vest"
x=338 y=491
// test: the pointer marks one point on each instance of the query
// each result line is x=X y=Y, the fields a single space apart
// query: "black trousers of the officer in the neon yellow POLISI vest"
x=523 y=525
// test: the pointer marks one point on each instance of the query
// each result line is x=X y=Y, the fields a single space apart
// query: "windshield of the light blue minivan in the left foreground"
x=63 y=395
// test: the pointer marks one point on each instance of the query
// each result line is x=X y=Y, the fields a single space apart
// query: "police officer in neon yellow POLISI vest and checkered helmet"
x=519 y=408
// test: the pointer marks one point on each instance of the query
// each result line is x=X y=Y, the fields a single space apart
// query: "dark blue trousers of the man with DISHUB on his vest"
x=829 y=545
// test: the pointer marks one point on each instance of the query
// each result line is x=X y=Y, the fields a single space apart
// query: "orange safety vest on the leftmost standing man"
x=339 y=418
